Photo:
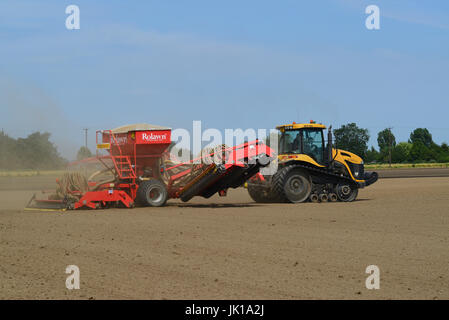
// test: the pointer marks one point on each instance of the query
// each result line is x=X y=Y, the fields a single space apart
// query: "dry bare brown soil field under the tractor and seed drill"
x=231 y=248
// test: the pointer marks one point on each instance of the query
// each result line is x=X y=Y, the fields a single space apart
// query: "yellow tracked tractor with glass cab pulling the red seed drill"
x=311 y=170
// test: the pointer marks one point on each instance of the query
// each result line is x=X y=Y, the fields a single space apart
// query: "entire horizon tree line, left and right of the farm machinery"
x=37 y=152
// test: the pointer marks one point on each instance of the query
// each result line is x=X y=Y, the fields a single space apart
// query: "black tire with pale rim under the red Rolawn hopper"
x=152 y=193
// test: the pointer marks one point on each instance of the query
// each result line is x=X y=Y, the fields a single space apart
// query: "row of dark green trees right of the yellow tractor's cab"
x=420 y=146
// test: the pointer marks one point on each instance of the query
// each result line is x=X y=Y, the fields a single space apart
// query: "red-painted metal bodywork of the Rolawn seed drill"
x=137 y=152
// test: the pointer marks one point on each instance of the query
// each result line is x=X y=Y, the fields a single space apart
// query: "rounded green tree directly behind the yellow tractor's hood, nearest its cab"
x=352 y=138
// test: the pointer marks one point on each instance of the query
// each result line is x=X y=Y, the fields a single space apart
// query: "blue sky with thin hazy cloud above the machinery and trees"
x=231 y=64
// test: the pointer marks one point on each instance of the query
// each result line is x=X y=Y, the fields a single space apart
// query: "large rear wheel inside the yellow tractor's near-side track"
x=292 y=184
